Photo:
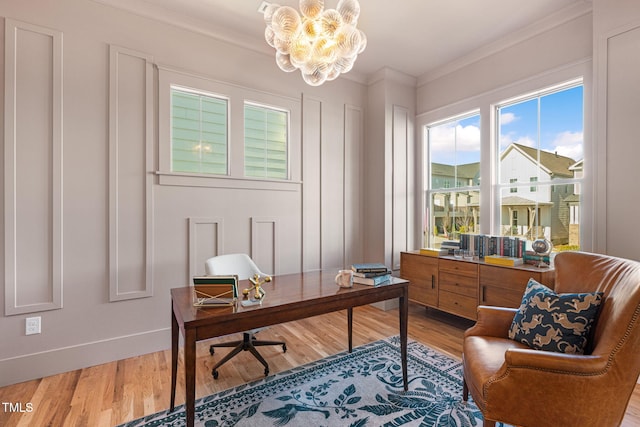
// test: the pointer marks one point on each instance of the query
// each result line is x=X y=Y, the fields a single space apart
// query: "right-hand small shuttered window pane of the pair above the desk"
x=266 y=137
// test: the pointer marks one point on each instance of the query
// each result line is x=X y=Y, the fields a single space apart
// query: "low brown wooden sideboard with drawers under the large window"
x=458 y=286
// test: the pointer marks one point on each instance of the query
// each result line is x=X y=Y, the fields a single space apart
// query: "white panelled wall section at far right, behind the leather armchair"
x=616 y=40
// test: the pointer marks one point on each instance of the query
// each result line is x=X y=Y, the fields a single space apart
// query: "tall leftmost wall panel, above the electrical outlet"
x=32 y=168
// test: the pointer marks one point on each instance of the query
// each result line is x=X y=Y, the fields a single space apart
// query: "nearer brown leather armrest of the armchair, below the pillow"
x=577 y=364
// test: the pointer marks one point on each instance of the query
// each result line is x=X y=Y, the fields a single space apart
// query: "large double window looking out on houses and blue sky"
x=531 y=150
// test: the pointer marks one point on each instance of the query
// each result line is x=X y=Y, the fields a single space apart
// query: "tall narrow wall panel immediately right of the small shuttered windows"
x=311 y=178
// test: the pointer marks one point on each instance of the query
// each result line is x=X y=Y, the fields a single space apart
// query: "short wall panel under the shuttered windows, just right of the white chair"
x=264 y=244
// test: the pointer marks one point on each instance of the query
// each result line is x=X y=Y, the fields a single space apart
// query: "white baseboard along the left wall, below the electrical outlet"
x=55 y=361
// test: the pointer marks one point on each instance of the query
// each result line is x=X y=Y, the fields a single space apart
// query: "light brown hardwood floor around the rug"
x=124 y=390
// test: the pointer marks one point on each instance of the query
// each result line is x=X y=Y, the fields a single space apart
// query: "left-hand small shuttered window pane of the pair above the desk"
x=199 y=135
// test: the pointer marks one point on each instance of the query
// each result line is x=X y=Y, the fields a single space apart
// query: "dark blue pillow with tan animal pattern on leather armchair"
x=554 y=322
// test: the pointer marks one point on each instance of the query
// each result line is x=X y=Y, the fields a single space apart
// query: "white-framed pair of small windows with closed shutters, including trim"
x=211 y=135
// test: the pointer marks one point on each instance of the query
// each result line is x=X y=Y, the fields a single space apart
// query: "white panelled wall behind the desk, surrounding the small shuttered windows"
x=310 y=224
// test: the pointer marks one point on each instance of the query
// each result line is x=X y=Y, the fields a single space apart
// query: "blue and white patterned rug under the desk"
x=363 y=388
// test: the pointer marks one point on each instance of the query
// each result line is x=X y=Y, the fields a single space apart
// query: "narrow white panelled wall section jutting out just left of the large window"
x=389 y=167
